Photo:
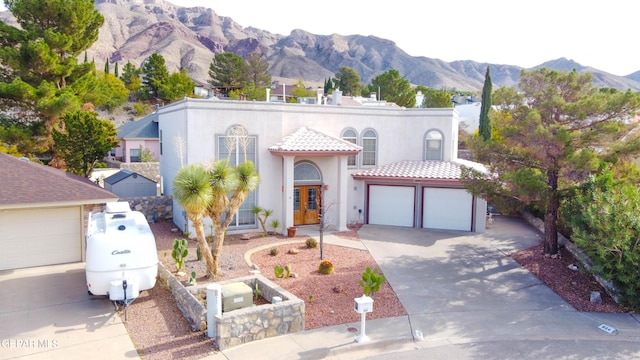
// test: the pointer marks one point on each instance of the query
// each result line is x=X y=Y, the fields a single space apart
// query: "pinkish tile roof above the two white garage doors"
x=416 y=170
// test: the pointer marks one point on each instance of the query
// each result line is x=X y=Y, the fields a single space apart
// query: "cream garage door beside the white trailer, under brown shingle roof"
x=38 y=237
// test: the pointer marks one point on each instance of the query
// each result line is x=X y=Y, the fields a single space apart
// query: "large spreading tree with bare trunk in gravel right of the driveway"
x=547 y=142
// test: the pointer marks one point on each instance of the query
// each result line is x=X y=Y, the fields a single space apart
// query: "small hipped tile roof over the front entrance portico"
x=309 y=141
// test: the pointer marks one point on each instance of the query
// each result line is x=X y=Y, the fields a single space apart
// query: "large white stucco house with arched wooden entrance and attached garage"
x=359 y=164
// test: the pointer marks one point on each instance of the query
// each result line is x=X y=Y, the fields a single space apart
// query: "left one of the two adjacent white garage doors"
x=391 y=205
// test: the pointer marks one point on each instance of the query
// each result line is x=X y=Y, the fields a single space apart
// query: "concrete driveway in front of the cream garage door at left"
x=46 y=313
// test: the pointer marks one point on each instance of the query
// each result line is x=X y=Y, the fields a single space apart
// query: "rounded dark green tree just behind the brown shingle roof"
x=83 y=140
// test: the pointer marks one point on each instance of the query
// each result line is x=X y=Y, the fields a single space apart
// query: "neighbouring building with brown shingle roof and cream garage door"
x=42 y=213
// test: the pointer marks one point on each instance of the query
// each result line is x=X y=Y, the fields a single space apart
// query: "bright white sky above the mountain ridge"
x=600 y=34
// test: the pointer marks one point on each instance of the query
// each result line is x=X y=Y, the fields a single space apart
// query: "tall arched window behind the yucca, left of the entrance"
x=237 y=146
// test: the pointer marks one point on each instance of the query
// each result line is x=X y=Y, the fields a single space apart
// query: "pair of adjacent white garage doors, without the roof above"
x=435 y=208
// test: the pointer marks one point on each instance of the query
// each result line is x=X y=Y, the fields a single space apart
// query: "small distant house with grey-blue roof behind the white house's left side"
x=136 y=134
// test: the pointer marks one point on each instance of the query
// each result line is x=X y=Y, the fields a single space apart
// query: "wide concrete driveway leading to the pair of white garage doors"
x=463 y=288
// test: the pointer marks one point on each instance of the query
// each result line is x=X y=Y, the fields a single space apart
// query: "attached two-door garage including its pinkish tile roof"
x=422 y=194
